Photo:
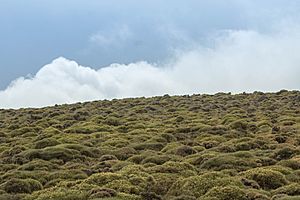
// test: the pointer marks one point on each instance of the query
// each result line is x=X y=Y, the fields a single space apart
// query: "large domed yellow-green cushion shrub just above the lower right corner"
x=266 y=178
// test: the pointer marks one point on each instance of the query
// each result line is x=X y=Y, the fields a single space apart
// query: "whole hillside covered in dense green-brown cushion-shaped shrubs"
x=210 y=147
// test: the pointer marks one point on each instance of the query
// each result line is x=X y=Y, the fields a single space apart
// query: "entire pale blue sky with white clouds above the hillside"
x=65 y=51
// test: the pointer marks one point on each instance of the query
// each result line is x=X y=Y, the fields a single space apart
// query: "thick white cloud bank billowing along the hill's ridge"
x=238 y=61
